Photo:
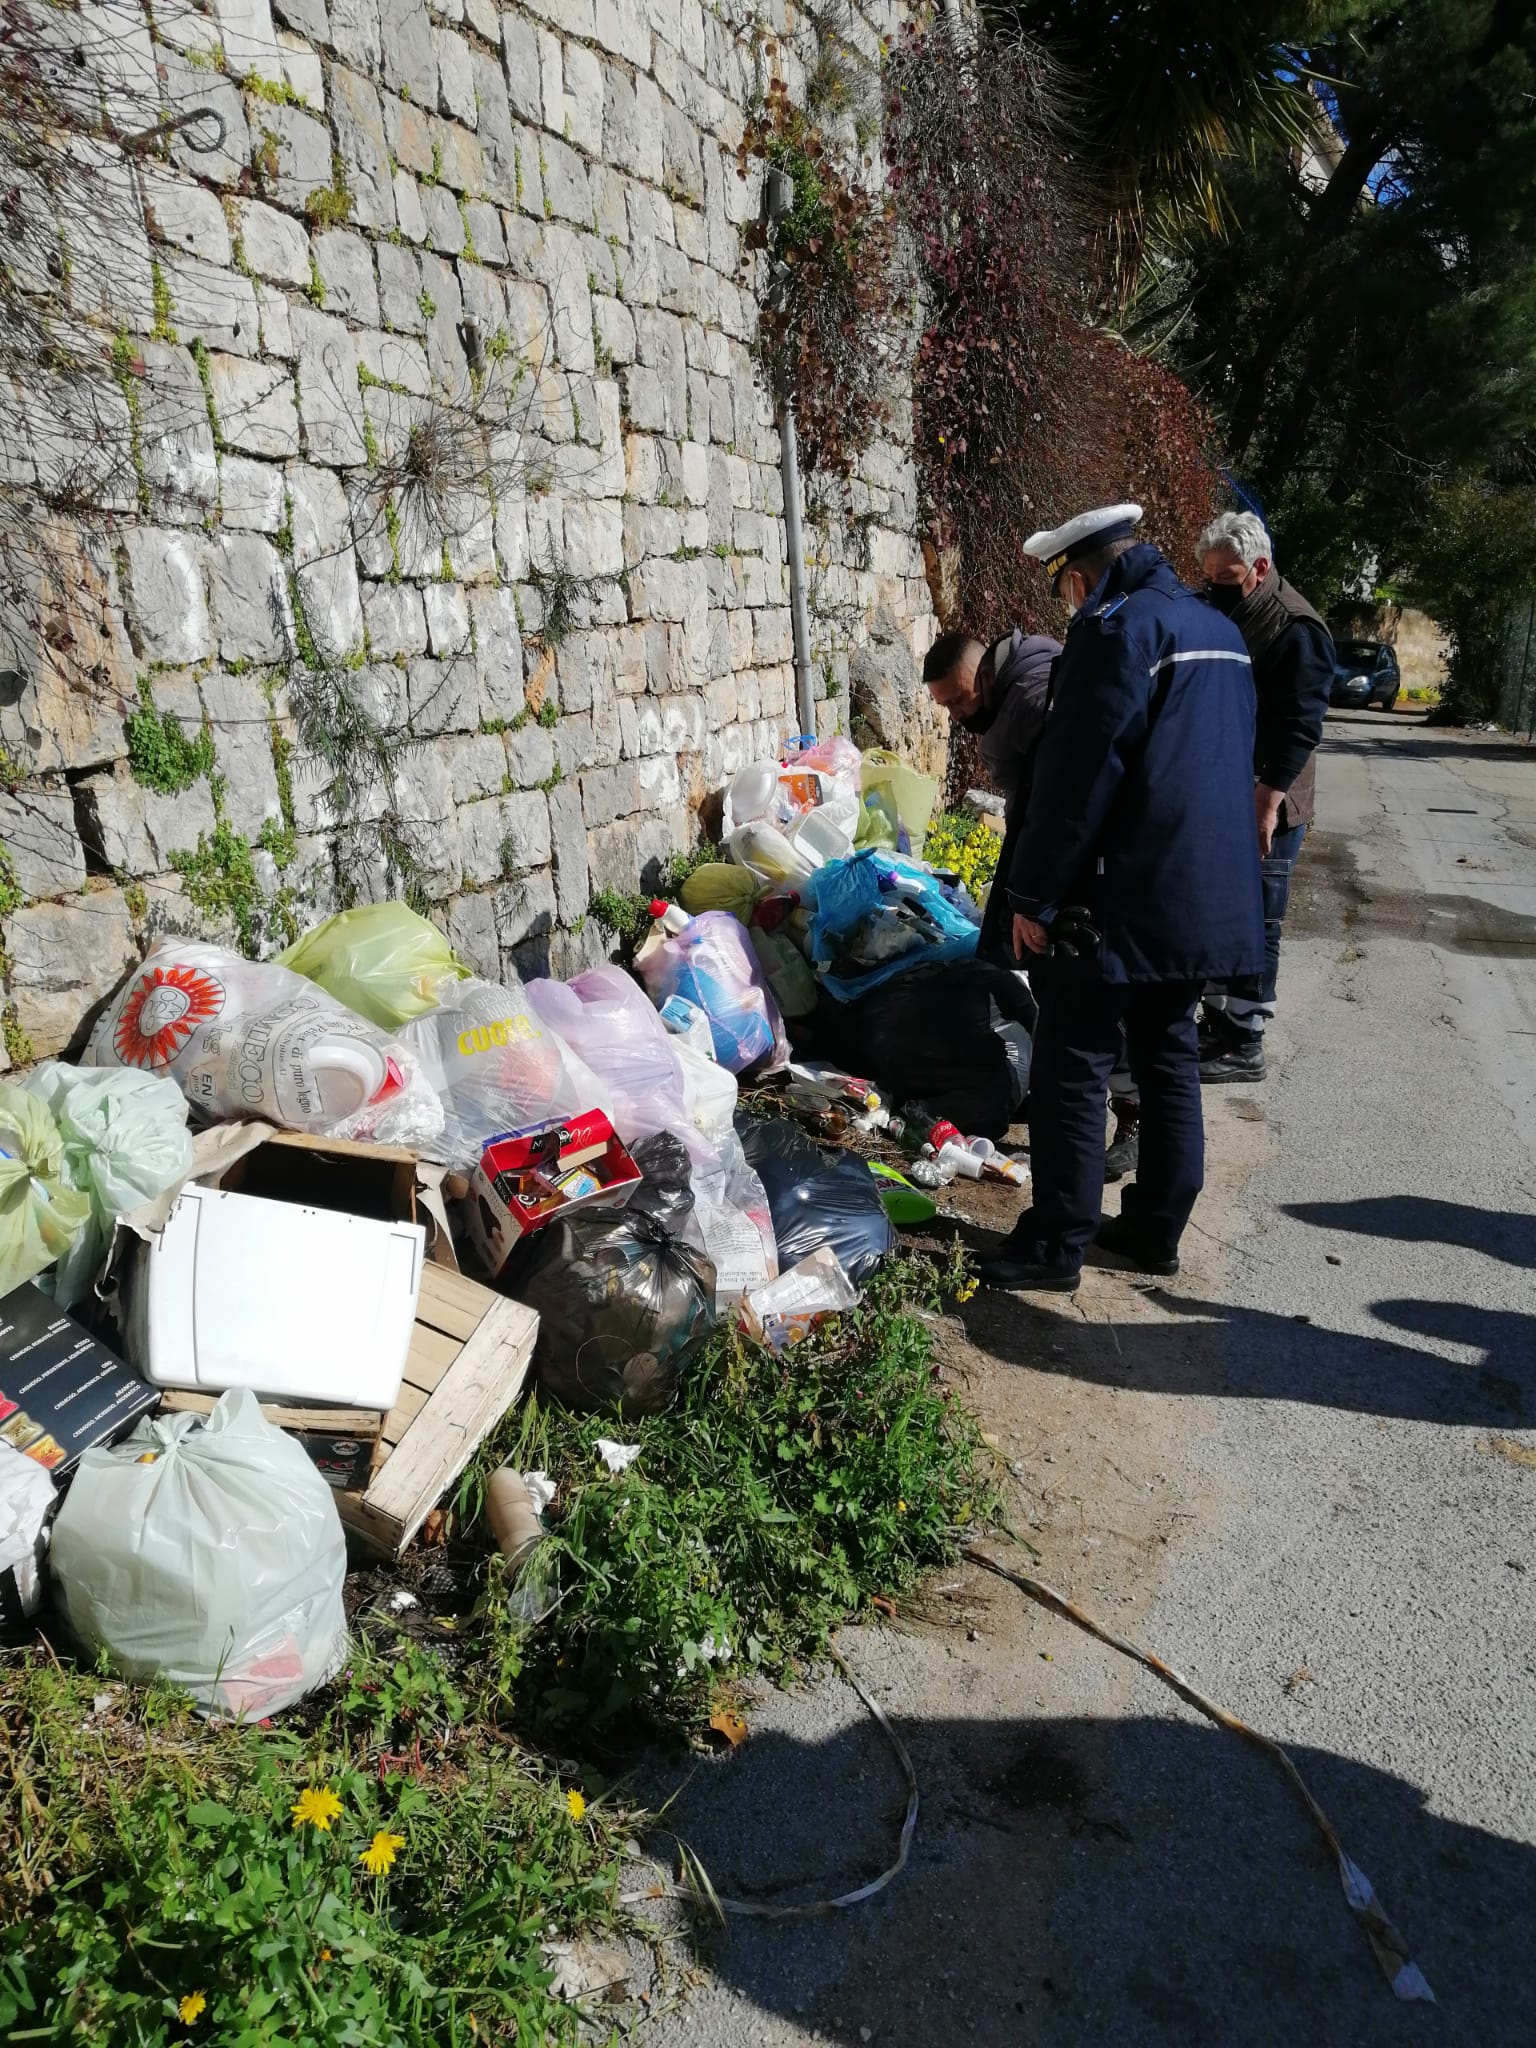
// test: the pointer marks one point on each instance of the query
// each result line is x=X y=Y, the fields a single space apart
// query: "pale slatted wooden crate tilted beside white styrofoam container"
x=466 y=1369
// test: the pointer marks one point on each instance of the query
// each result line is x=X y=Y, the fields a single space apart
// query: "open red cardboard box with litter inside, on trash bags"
x=529 y=1179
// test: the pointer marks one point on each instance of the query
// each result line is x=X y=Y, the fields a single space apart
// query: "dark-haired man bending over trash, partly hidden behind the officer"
x=996 y=693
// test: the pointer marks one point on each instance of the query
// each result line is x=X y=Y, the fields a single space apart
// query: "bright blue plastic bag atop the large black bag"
x=880 y=916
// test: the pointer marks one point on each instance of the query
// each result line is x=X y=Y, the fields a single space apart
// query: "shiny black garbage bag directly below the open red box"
x=624 y=1295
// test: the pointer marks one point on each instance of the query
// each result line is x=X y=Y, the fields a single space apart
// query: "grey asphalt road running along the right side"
x=1306 y=1474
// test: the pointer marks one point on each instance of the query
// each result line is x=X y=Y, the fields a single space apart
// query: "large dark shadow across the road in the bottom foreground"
x=1205 y=1914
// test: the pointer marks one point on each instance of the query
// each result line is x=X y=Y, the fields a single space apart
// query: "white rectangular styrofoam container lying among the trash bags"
x=292 y=1302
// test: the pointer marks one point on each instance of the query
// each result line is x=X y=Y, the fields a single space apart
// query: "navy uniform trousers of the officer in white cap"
x=1076 y=1050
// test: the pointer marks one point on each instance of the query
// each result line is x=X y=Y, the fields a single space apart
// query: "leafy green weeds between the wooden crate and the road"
x=775 y=1498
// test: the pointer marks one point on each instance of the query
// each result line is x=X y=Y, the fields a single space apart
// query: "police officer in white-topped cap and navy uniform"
x=1136 y=882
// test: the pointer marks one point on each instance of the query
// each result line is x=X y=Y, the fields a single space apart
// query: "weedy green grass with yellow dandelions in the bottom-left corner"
x=153 y=1859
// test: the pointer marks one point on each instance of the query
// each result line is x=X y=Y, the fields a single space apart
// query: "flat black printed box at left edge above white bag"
x=60 y=1390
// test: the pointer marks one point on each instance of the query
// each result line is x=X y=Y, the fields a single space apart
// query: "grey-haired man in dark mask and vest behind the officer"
x=1293 y=675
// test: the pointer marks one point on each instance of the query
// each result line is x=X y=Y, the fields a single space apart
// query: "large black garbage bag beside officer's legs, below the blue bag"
x=955 y=1039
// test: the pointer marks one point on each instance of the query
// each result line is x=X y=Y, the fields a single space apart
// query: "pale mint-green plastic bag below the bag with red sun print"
x=124 y=1138
